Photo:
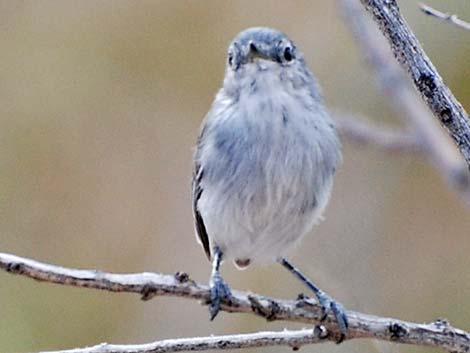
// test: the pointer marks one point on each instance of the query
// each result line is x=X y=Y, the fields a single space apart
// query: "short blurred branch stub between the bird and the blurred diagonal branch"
x=356 y=129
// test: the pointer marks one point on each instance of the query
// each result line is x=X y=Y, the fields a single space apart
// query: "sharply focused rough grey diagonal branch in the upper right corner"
x=409 y=53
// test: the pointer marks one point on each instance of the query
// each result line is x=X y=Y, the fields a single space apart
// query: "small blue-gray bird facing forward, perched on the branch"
x=264 y=162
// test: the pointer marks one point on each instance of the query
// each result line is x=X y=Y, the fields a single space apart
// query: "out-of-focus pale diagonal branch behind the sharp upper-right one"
x=402 y=97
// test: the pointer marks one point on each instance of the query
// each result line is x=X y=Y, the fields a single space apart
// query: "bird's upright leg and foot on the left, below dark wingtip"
x=219 y=289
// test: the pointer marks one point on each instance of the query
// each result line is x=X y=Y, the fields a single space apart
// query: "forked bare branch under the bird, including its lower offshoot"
x=436 y=334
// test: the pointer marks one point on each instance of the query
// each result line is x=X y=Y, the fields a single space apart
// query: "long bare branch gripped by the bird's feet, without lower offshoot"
x=437 y=334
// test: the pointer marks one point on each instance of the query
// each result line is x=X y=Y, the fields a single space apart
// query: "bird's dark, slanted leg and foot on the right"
x=328 y=303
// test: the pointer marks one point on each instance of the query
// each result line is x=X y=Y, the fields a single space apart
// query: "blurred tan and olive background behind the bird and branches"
x=100 y=106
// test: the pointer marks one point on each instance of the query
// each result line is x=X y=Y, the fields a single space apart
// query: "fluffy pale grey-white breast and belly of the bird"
x=268 y=171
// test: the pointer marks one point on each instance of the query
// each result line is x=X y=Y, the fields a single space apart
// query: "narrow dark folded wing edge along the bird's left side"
x=197 y=191
